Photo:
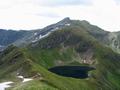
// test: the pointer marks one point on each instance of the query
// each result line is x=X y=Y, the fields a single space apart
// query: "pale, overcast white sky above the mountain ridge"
x=36 y=14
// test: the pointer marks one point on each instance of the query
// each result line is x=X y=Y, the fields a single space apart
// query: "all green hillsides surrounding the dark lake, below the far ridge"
x=69 y=46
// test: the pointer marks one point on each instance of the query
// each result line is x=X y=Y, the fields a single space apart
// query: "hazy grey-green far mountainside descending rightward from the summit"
x=110 y=39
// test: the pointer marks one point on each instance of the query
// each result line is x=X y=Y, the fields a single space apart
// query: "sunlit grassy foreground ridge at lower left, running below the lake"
x=49 y=81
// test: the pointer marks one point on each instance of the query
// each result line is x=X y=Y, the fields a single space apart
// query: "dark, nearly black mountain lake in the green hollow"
x=72 y=71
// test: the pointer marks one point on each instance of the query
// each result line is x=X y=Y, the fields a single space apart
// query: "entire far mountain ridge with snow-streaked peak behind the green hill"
x=23 y=38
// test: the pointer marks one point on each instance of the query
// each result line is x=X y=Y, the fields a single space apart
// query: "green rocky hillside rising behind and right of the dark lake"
x=74 y=46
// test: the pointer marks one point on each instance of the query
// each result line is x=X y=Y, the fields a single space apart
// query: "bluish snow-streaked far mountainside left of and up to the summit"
x=24 y=37
